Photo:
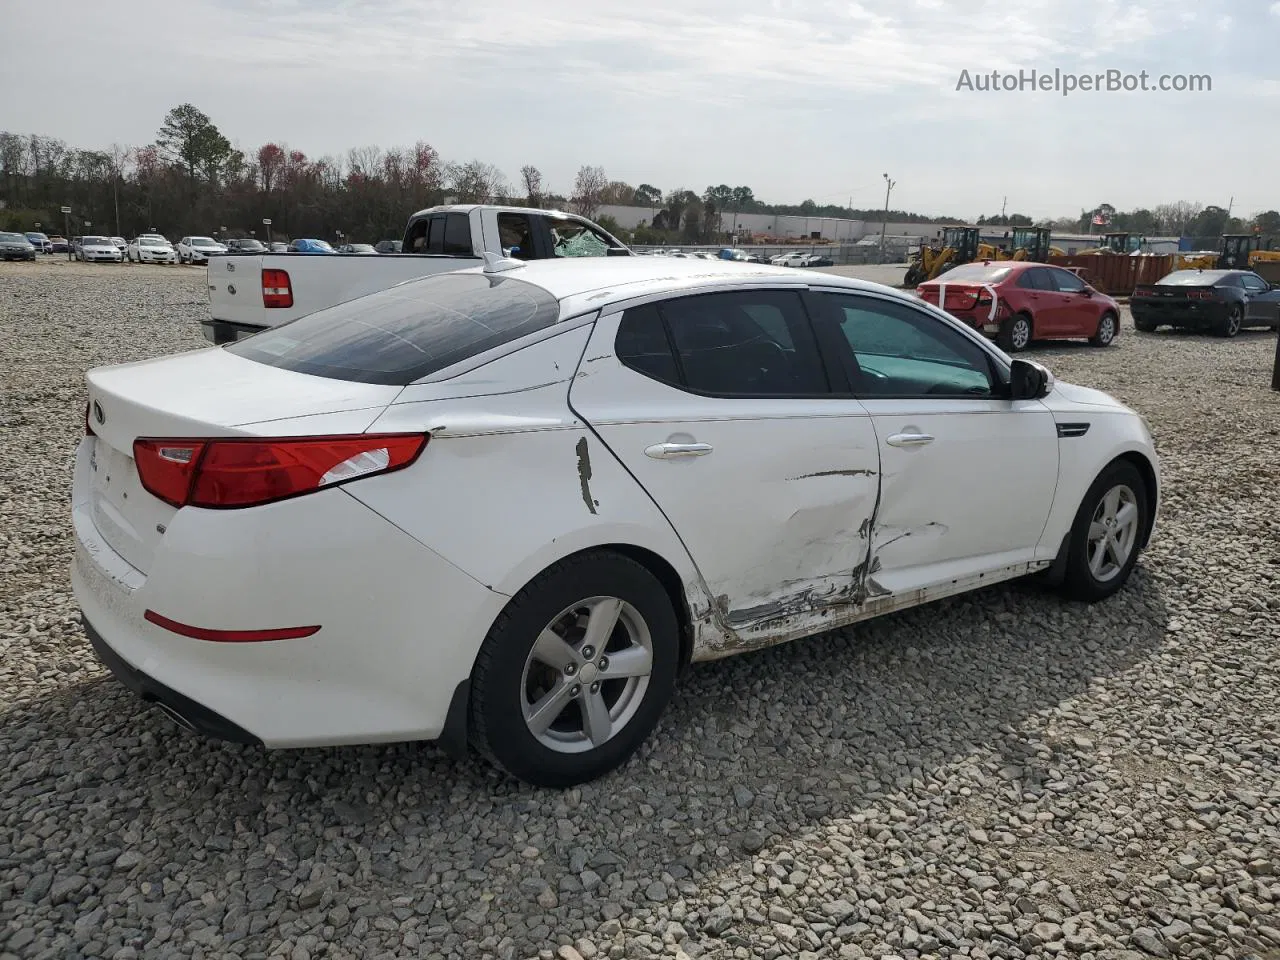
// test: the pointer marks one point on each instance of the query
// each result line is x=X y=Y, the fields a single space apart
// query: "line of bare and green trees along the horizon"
x=194 y=181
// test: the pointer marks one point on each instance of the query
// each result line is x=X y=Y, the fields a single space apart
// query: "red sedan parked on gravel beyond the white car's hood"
x=1020 y=301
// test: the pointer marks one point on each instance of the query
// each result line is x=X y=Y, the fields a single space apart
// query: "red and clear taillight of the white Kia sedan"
x=226 y=474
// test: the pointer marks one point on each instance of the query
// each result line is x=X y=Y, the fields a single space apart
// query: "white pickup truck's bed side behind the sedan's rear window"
x=236 y=301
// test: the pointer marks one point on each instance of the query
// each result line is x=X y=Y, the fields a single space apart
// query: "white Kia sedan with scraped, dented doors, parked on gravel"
x=505 y=508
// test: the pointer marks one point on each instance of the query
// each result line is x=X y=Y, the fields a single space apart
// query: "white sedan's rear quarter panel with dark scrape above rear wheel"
x=513 y=481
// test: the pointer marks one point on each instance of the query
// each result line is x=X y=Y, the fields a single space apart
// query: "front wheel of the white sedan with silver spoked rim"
x=1108 y=533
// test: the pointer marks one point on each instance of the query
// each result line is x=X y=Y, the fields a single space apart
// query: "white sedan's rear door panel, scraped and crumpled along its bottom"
x=771 y=495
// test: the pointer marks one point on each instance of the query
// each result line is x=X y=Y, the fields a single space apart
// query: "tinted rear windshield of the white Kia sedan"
x=408 y=332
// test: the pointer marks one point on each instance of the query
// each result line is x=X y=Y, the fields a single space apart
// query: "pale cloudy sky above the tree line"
x=793 y=98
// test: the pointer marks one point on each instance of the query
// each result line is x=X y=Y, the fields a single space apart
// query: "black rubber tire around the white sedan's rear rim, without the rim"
x=499 y=683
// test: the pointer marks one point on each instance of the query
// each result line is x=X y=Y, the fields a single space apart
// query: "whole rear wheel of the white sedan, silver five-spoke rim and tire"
x=577 y=671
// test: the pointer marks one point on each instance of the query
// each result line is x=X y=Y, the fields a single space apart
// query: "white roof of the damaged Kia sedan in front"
x=591 y=284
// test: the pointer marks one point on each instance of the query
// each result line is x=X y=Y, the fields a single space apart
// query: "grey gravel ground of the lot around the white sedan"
x=1002 y=775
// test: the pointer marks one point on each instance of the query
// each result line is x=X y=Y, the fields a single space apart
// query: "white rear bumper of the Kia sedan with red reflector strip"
x=400 y=625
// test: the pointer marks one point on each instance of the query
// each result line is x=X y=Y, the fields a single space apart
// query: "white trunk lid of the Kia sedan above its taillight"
x=204 y=394
